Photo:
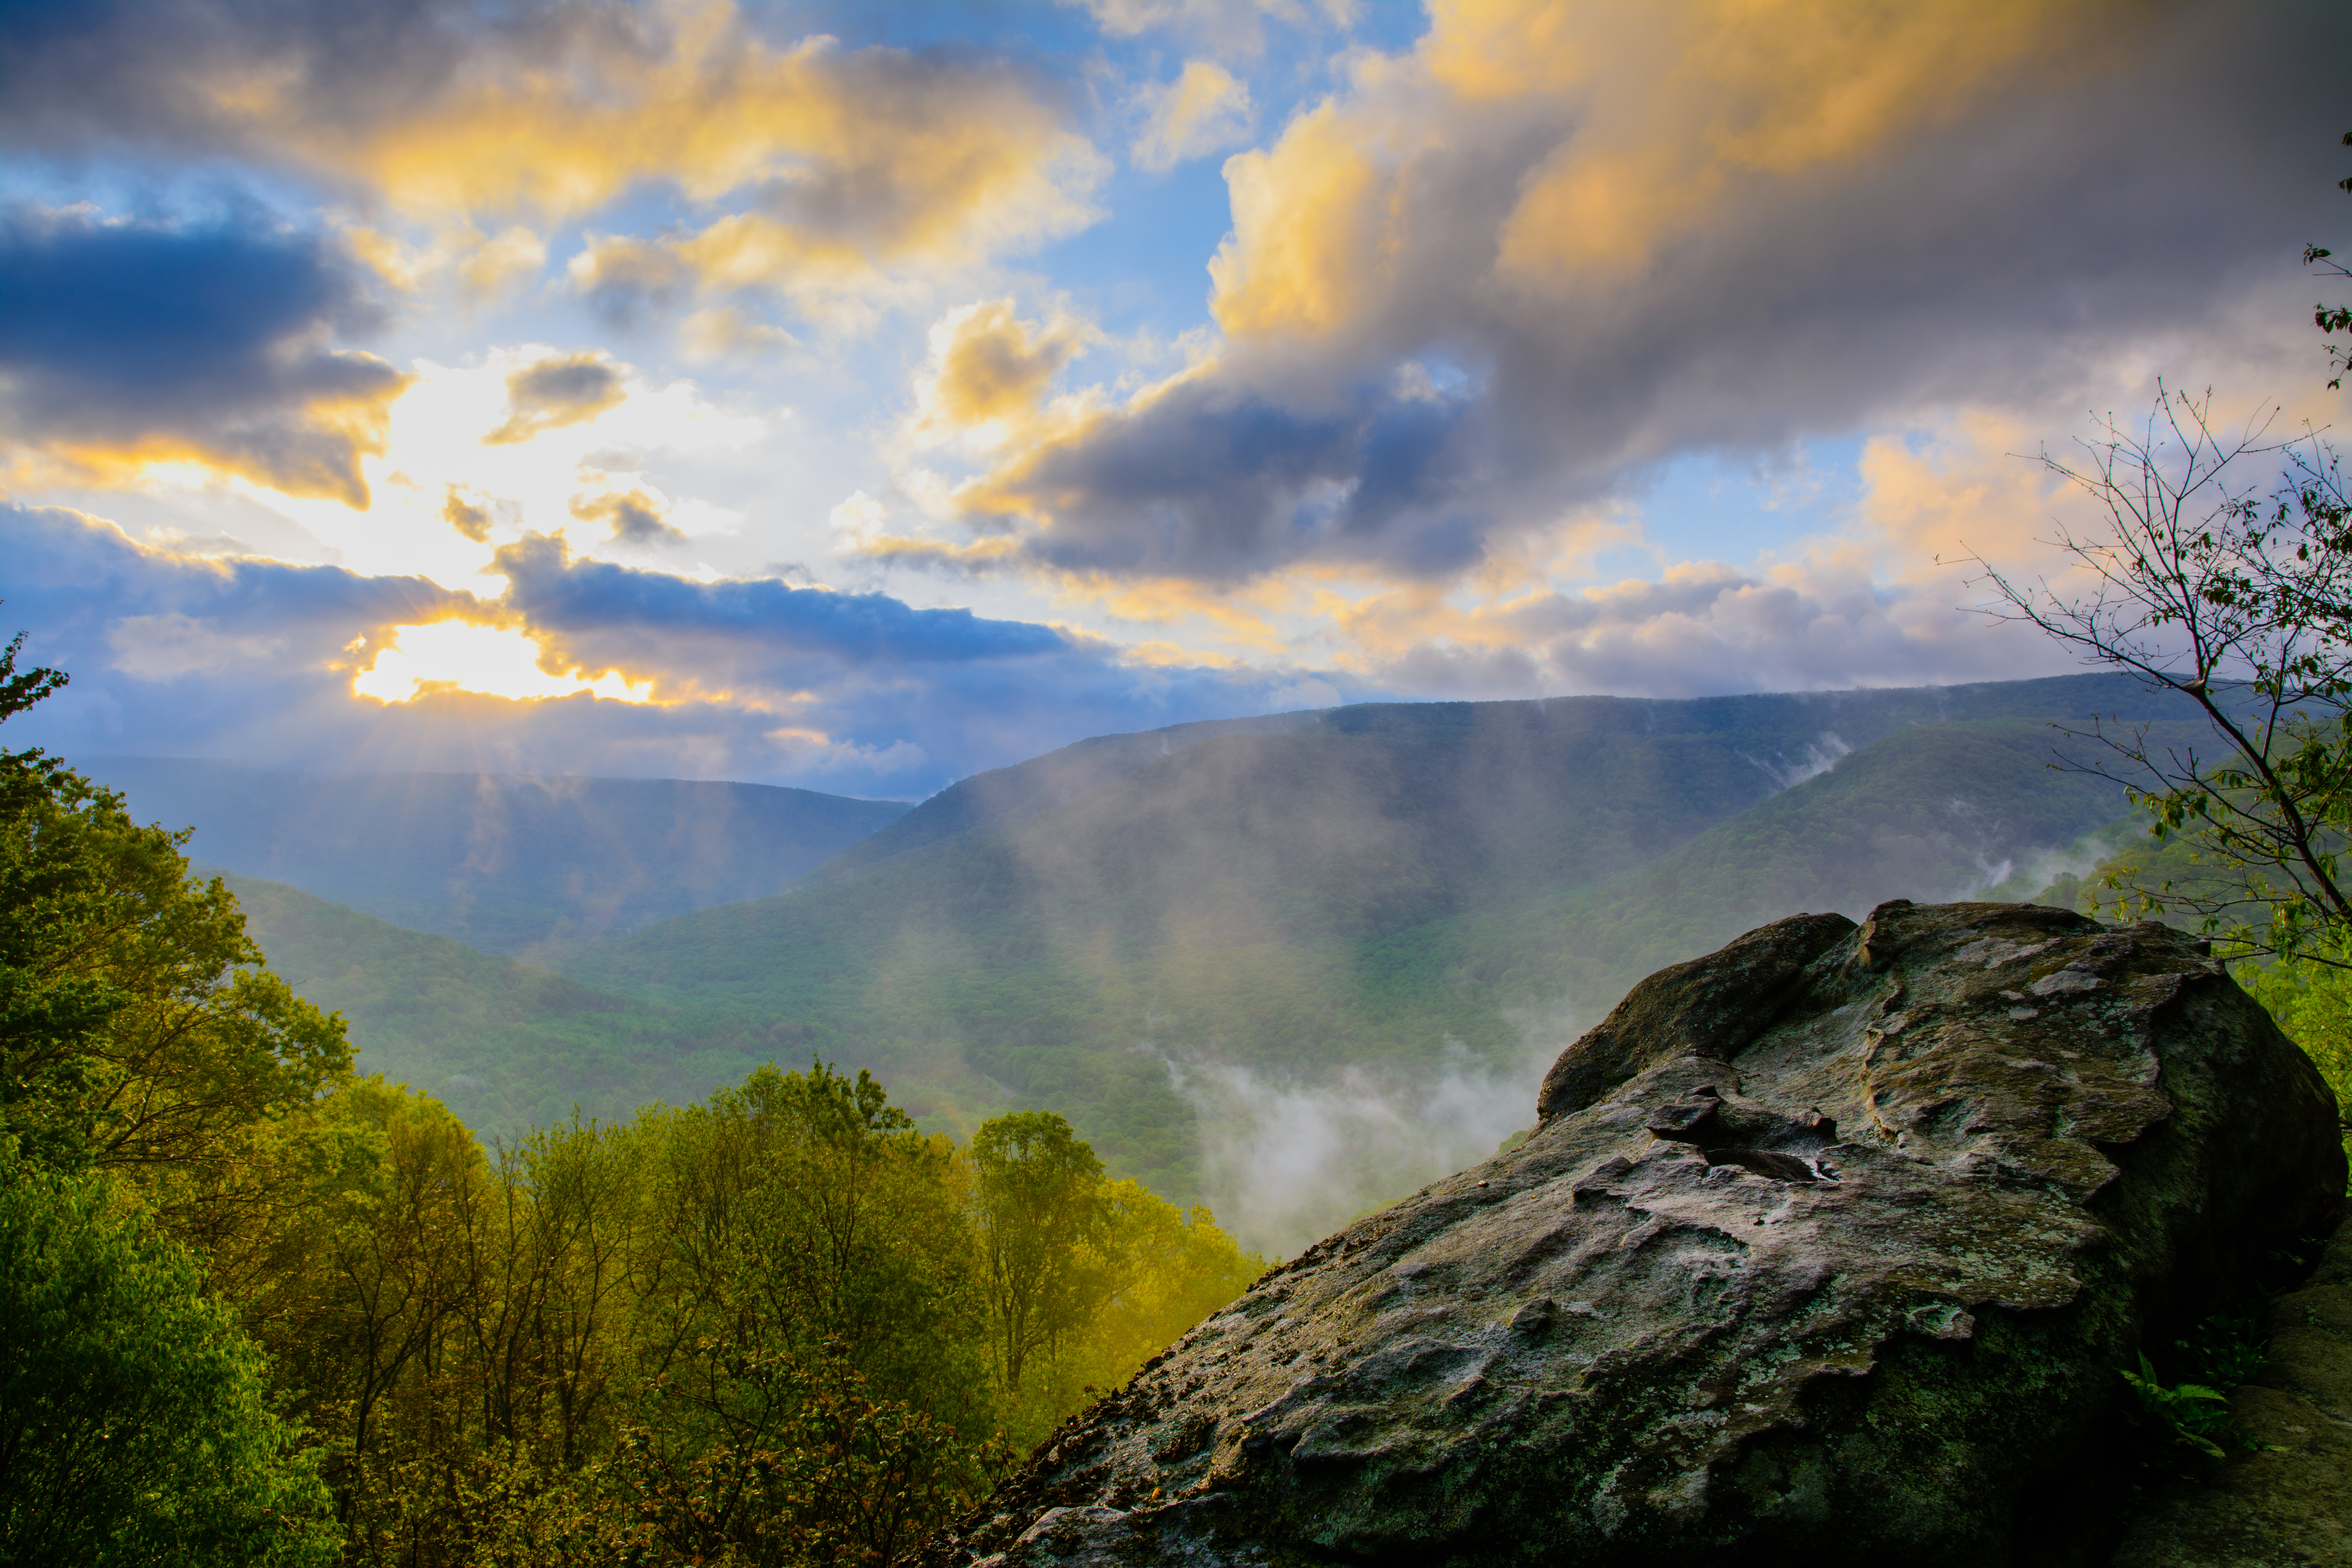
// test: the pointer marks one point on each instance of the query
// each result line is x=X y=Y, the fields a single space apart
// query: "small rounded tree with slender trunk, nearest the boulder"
x=1043 y=1214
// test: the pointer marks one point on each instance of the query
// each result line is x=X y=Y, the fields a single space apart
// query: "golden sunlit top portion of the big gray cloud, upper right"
x=1659 y=114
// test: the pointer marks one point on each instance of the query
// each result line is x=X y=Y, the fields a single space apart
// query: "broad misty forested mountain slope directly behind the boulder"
x=1419 y=902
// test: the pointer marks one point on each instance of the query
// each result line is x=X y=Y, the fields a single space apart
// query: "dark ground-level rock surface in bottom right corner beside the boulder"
x=2287 y=1503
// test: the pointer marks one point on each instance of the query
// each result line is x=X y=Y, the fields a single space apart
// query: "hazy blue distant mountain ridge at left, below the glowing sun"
x=505 y=864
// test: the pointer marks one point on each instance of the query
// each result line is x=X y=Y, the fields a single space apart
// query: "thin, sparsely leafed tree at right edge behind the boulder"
x=2221 y=572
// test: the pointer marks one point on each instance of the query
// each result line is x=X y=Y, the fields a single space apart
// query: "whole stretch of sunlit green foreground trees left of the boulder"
x=262 y=1311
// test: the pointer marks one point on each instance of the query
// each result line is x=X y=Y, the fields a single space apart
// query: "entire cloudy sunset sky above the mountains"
x=860 y=394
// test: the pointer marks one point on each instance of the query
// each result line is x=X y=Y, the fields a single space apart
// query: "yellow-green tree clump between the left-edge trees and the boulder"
x=751 y=1332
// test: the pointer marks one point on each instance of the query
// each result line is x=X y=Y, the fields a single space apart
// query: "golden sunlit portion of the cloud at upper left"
x=843 y=163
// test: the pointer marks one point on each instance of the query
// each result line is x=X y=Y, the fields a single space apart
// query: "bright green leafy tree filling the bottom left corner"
x=135 y=1416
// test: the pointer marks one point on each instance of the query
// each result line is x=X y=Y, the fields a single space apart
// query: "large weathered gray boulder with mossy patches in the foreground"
x=1829 y=1249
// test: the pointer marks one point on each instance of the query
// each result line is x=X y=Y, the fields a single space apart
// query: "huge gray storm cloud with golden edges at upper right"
x=1438 y=361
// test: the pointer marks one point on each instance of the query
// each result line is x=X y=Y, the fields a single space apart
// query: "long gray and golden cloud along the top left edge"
x=815 y=168
